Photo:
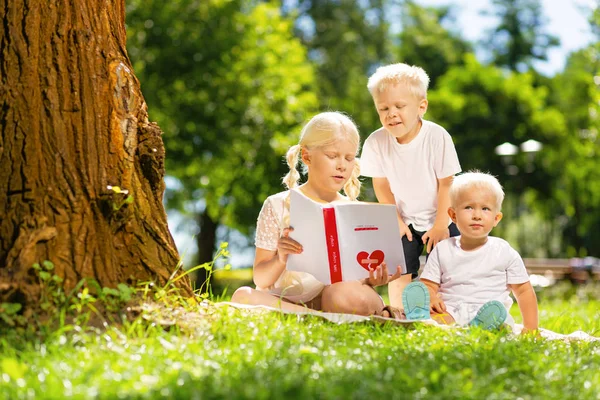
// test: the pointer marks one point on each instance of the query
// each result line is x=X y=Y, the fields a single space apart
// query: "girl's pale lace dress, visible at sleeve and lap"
x=298 y=287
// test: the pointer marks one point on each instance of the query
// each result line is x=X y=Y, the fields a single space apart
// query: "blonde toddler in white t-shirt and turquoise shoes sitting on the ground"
x=469 y=276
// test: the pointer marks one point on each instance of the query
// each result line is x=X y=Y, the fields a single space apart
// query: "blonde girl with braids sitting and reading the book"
x=327 y=148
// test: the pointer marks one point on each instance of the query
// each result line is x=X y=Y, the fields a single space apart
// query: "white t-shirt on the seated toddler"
x=475 y=277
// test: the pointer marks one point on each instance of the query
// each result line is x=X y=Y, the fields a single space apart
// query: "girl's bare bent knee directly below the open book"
x=351 y=297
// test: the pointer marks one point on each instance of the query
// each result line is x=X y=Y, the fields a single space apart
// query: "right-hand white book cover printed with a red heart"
x=369 y=234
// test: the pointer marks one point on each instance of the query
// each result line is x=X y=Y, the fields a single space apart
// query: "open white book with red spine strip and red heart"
x=343 y=240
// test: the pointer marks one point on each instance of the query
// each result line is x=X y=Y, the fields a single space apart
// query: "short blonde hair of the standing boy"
x=415 y=77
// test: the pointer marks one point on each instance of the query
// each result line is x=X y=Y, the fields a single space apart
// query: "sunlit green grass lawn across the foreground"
x=228 y=353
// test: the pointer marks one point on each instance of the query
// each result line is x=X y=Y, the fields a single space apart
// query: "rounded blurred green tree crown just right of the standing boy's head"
x=482 y=107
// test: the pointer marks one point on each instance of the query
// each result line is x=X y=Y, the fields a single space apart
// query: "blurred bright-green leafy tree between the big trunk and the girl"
x=231 y=86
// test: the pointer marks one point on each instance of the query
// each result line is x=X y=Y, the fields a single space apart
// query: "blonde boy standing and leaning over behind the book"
x=412 y=162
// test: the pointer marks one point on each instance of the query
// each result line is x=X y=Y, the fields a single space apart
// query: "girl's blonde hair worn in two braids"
x=322 y=130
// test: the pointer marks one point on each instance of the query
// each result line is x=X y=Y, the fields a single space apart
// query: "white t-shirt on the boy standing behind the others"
x=412 y=169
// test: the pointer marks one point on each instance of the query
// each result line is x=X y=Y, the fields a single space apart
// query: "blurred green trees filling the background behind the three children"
x=230 y=82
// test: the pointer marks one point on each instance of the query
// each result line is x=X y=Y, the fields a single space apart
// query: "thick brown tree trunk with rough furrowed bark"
x=74 y=125
